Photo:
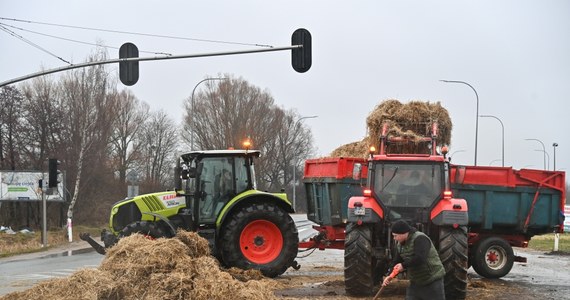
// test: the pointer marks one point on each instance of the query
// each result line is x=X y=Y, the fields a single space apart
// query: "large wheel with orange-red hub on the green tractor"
x=260 y=236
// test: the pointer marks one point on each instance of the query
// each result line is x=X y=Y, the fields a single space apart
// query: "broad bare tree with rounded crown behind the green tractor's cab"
x=230 y=111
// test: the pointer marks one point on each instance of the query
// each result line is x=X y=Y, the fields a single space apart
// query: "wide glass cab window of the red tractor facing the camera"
x=408 y=185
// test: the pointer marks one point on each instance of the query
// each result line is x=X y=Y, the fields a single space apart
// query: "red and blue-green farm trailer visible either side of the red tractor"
x=507 y=207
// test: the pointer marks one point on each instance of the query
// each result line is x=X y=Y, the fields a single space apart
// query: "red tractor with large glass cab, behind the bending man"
x=411 y=187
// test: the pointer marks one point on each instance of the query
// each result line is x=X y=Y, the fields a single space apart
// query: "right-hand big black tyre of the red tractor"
x=453 y=254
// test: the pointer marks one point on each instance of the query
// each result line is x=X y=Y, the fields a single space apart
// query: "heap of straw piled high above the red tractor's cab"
x=412 y=120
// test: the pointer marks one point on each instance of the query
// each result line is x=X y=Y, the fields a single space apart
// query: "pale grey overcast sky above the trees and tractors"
x=516 y=54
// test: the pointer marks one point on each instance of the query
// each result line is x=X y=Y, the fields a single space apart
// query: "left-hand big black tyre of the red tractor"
x=359 y=263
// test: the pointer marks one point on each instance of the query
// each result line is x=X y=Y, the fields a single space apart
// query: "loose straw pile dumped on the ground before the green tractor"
x=139 y=268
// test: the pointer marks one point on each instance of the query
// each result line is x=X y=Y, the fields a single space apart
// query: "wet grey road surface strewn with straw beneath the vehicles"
x=320 y=277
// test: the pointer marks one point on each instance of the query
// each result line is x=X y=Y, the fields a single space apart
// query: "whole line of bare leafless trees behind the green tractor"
x=101 y=134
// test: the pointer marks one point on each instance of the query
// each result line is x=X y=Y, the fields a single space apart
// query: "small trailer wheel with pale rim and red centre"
x=493 y=258
